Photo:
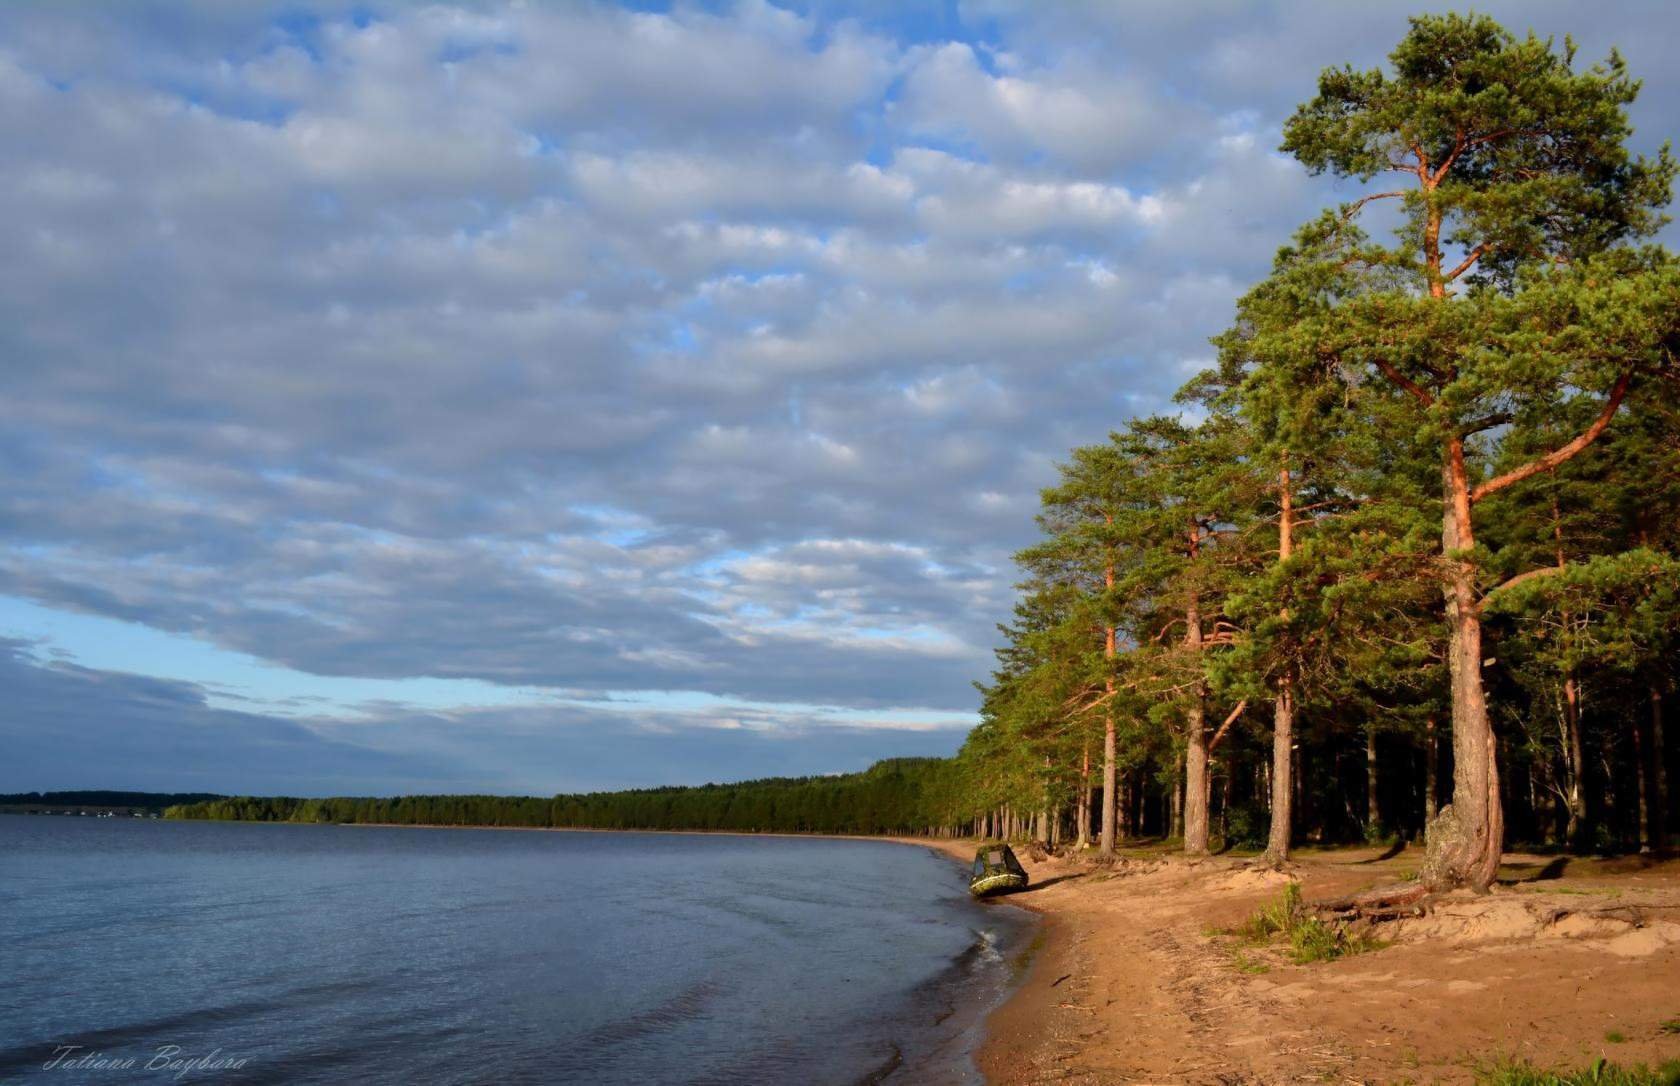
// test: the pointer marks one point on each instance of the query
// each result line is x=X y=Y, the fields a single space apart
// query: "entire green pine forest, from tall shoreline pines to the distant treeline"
x=1402 y=564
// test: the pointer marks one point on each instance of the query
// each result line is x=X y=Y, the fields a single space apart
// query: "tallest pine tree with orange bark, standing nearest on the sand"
x=1509 y=295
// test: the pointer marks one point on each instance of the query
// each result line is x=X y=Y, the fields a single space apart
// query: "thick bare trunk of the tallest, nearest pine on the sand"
x=1466 y=841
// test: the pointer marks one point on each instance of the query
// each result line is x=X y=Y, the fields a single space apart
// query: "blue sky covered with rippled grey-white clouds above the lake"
x=550 y=398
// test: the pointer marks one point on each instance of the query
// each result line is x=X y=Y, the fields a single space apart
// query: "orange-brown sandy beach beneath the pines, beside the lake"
x=1133 y=983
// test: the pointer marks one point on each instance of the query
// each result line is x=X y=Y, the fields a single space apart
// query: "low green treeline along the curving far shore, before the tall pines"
x=901 y=796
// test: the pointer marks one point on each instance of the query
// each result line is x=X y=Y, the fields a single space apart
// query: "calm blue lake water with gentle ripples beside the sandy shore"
x=409 y=956
